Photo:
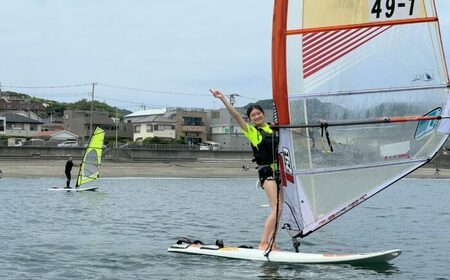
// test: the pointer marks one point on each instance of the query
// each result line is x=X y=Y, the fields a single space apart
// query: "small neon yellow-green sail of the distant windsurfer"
x=92 y=159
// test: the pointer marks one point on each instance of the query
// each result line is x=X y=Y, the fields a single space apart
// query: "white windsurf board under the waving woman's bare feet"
x=281 y=256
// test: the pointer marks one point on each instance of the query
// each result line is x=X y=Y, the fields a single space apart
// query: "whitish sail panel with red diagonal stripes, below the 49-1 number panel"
x=371 y=58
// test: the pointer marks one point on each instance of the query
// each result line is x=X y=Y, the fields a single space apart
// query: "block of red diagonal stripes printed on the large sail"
x=324 y=55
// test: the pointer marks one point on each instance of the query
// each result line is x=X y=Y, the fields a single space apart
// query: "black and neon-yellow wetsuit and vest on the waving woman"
x=264 y=147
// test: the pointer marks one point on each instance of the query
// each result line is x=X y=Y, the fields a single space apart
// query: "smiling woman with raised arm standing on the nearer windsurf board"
x=260 y=135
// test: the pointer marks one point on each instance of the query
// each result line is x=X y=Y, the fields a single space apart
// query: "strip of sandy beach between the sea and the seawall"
x=39 y=168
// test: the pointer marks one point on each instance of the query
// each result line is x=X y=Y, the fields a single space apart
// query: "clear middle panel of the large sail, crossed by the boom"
x=363 y=144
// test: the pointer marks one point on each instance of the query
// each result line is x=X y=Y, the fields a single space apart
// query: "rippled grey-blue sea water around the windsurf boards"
x=123 y=231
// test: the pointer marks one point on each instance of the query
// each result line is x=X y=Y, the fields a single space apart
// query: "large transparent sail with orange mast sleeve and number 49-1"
x=372 y=75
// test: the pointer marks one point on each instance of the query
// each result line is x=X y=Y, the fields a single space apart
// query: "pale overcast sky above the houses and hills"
x=152 y=52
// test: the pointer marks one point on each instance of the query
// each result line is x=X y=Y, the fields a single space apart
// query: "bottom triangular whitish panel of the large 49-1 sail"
x=327 y=195
